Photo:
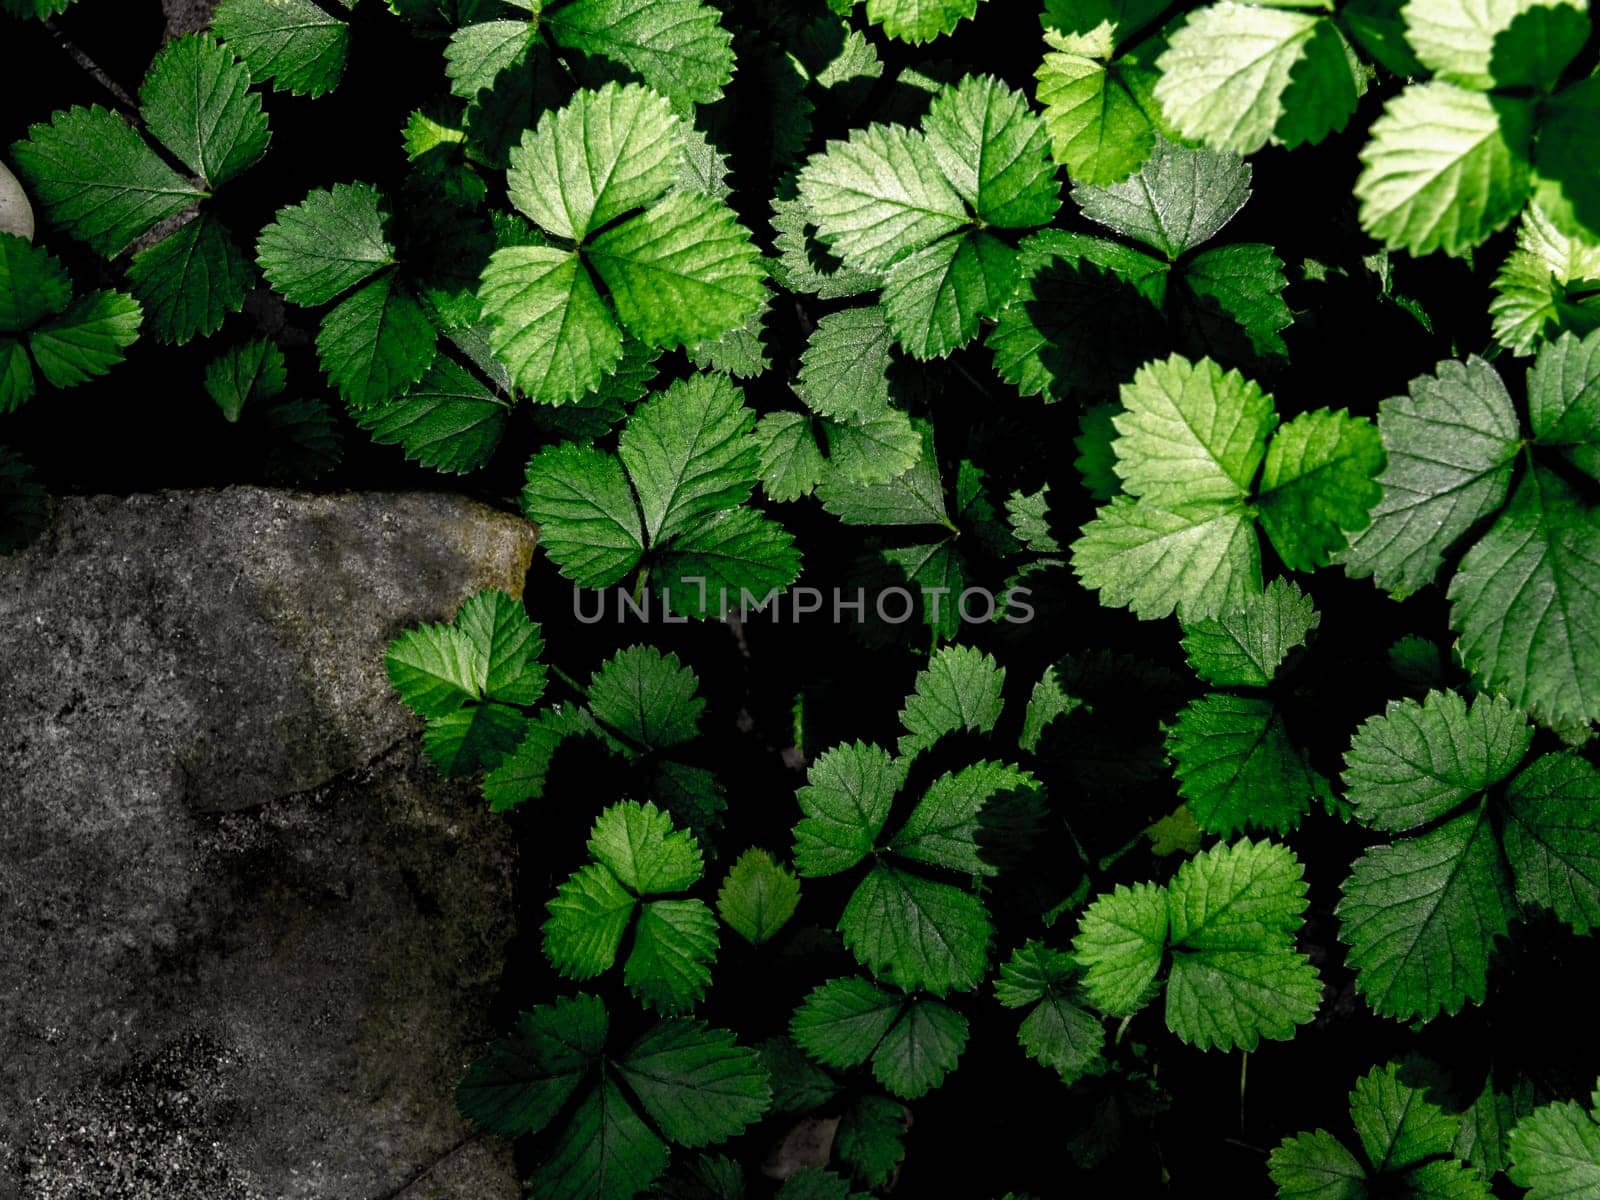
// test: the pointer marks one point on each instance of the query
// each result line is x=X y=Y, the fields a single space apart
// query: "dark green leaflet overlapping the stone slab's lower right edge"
x=524 y=1081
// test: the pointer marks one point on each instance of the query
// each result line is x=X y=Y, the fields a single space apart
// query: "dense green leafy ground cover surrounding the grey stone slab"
x=1257 y=844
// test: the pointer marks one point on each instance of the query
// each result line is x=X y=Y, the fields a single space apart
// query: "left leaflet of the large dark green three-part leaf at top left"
x=98 y=180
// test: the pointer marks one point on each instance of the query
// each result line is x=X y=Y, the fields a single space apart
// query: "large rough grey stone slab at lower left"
x=249 y=937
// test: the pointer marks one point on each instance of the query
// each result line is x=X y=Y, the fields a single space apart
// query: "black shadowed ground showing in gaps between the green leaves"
x=1001 y=1121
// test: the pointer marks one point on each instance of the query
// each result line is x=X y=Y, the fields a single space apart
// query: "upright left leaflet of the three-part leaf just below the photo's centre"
x=847 y=799
